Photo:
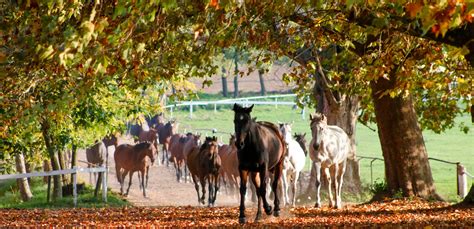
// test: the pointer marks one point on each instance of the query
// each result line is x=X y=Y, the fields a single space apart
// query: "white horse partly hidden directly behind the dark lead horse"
x=293 y=163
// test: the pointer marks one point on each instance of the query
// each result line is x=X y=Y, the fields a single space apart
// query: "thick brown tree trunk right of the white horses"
x=407 y=168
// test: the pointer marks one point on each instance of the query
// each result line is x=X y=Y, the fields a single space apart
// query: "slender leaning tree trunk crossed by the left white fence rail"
x=57 y=189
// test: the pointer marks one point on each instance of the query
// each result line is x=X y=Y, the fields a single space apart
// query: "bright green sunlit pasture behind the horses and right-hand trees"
x=453 y=145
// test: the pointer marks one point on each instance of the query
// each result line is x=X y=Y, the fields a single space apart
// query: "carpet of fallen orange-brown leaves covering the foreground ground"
x=406 y=213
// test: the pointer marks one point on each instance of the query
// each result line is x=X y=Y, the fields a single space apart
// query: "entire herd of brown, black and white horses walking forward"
x=265 y=152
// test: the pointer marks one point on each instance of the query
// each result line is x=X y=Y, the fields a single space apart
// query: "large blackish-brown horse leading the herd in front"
x=260 y=149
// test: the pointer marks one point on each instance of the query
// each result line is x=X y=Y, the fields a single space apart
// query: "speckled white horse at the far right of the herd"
x=328 y=149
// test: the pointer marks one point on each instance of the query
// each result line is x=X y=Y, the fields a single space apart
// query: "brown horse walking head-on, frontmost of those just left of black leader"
x=204 y=164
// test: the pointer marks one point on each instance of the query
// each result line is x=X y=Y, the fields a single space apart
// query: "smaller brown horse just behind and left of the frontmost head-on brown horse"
x=177 y=144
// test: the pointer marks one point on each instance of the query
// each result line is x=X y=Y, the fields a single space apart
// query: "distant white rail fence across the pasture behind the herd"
x=257 y=100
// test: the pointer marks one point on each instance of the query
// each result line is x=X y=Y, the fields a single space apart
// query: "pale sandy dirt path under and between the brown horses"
x=163 y=189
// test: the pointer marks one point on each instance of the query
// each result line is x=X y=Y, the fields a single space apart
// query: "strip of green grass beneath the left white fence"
x=10 y=197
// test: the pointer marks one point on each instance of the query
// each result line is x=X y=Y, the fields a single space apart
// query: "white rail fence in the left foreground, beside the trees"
x=72 y=171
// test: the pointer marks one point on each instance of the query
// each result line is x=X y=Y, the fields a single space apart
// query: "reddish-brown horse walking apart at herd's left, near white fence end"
x=132 y=158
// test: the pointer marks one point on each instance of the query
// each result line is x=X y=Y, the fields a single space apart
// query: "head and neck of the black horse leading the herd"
x=242 y=123
